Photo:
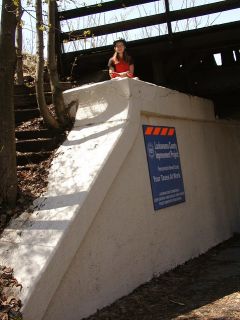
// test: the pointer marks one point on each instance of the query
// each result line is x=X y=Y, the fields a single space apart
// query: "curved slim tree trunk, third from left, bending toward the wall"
x=47 y=117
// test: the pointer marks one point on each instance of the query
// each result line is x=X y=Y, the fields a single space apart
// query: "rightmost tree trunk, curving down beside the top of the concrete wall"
x=57 y=95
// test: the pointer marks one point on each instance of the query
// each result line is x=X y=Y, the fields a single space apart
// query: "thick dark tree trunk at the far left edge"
x=8 y=171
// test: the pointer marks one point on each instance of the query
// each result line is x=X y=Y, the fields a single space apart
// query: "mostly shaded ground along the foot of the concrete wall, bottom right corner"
x=205 y=288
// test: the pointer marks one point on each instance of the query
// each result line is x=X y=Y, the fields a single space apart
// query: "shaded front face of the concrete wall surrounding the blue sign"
x=128 y=241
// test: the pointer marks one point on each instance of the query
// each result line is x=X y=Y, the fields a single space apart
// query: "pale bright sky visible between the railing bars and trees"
x=121 y=15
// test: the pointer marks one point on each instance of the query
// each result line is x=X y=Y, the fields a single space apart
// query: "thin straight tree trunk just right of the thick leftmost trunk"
x=19 y=71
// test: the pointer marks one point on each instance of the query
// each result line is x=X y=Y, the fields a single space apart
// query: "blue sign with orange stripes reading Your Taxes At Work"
x=164 y=166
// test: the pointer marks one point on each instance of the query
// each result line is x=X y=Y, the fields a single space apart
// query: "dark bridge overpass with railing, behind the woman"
x=183 y=61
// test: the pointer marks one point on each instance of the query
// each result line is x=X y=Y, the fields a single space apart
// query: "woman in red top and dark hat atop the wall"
x=121 y=64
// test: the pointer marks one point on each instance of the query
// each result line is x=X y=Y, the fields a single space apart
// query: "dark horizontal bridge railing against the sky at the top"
x=167 y=17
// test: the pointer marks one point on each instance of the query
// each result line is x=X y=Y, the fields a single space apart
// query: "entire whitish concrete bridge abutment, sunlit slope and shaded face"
x=94 y=236
